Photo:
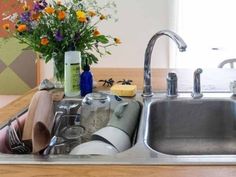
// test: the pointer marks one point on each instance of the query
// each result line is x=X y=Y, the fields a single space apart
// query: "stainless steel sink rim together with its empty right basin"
x=171 y=131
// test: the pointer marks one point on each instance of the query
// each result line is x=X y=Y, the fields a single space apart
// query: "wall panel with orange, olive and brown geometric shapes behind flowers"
x=17 y=66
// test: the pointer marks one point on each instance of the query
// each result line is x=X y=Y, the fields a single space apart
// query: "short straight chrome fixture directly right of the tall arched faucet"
x=171 y=91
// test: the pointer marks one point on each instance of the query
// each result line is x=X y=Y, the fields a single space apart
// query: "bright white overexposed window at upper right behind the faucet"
x=209 y=29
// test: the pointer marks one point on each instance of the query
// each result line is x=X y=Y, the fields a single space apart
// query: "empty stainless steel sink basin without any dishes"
x=192 y=126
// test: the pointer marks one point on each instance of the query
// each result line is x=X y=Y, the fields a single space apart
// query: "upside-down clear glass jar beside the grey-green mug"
x=95 y=113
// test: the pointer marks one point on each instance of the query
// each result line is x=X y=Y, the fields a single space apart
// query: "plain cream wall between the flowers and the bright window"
x=138 y=21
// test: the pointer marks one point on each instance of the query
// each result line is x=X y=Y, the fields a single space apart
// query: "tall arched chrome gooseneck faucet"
x=147 y=90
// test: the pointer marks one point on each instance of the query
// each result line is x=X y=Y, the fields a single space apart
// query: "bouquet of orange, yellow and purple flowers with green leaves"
x=52 y=29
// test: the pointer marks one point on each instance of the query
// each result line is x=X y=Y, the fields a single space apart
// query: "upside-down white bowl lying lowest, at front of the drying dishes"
x=94 y=148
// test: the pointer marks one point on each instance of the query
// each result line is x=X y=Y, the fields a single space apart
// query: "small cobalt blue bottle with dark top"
x=86 y=81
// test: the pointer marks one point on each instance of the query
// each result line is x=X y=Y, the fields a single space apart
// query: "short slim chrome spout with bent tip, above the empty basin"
x=197 y=84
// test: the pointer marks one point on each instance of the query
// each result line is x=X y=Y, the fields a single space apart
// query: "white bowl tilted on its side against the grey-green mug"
x=118 y=138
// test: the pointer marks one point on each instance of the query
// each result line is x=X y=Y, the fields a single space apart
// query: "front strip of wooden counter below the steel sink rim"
x=115 y=171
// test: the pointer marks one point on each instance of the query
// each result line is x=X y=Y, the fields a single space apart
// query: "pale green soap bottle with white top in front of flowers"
x=72 y=70
